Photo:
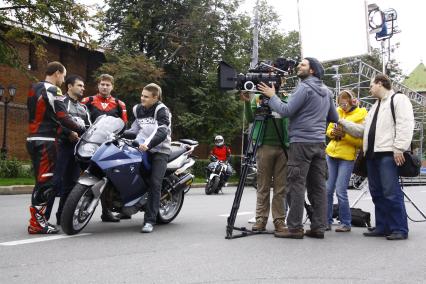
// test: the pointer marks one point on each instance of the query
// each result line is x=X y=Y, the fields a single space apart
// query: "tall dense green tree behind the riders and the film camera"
x=186 y=39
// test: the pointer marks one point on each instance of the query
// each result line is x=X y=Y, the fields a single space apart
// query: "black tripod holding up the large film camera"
x=261 y=117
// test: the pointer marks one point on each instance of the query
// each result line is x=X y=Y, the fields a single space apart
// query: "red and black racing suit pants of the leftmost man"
x=43 y=158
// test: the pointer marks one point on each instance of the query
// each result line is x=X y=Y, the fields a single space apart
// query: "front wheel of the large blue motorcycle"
x=74 y=215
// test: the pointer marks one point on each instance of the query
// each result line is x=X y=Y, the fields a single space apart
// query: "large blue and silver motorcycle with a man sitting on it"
x=120 y=172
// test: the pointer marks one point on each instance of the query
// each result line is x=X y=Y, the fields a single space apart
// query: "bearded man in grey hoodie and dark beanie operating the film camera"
x=309 y=108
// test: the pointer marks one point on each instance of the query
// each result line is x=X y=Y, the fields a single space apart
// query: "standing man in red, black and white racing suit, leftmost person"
x=47 y=112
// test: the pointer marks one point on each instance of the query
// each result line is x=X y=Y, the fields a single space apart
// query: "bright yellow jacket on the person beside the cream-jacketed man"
x=346 y=148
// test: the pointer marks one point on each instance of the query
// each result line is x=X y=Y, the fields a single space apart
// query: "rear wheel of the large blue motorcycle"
x=170 y=205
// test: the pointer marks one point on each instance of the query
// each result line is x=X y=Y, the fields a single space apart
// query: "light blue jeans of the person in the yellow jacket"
x=339 y=174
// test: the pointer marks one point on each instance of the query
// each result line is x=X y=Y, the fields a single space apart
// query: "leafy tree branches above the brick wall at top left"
x=26 y=22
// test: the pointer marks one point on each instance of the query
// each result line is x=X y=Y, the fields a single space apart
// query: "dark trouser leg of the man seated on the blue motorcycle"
x=159 y=166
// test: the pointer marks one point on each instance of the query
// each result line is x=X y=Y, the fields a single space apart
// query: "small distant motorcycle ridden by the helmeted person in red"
x=216 y=172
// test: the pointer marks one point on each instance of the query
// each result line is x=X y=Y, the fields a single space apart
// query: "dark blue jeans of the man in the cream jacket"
x=387 y=195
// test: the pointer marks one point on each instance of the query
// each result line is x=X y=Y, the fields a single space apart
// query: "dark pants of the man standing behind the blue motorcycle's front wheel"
x=67 y=171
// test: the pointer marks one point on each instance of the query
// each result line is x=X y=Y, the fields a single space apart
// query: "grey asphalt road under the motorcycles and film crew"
x=192 y=249
